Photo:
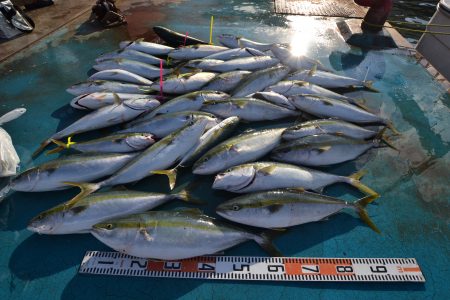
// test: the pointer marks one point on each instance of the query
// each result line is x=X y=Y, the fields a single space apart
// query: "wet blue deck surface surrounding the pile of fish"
x=413 y=211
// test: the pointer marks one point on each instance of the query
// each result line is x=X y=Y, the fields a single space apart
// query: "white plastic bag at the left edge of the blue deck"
x=9 y=160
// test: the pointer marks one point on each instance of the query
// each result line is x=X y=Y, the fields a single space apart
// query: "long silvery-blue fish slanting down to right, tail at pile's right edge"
x=324 y=107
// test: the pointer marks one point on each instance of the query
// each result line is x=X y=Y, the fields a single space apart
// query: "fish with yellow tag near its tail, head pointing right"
x=115 y=143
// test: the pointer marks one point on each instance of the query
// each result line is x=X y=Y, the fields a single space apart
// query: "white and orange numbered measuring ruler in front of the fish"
x=256 y=268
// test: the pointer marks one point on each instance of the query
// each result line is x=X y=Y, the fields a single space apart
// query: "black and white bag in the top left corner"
x=13 y=21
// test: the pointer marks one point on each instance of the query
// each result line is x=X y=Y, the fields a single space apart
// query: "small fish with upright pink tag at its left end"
x=185 y=83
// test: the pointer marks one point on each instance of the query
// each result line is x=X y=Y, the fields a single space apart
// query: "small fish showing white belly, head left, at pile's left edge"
x=98 y=100
